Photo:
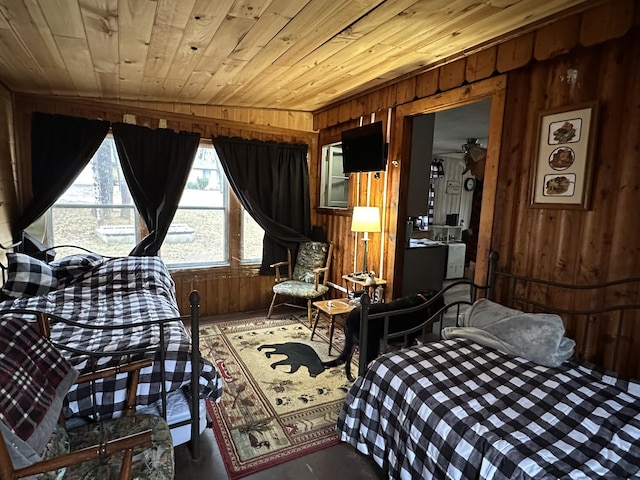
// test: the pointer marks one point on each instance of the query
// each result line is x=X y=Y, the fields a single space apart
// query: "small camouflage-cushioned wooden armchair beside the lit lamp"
x=308 y=280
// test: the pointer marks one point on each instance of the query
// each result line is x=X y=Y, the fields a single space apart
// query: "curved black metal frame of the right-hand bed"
x=523 y=293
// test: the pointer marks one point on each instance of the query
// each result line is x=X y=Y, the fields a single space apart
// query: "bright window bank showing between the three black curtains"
x=210 y=228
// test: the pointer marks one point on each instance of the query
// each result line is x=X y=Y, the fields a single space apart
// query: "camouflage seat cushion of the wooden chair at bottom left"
x=155 y=462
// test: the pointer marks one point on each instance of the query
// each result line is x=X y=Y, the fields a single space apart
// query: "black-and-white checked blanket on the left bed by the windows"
x=123 y=292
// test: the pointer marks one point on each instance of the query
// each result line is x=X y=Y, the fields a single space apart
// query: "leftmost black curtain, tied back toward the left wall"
x=61 y=146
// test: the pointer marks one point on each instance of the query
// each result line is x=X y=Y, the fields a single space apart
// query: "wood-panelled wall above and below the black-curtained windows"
x=223 y=289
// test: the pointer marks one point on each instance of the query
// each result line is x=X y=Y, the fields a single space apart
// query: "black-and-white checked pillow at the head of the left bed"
x=28 y=276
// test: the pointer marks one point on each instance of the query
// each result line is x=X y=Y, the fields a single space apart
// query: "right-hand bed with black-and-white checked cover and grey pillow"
x=460 y=408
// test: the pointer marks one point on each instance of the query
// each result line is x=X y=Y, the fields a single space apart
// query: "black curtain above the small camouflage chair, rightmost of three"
x=271 y=180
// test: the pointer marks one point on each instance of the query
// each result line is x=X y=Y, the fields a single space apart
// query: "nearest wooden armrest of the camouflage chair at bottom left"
x=142 y=439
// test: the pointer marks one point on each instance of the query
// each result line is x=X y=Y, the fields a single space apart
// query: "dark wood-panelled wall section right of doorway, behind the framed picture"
x=580 y=247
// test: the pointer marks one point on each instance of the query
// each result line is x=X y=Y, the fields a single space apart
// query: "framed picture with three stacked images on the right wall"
x=563 y=160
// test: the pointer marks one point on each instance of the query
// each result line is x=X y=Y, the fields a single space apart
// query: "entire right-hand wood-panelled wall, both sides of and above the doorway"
x=576 y=247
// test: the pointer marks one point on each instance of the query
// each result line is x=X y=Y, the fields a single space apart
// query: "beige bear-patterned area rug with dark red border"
x=278 y=402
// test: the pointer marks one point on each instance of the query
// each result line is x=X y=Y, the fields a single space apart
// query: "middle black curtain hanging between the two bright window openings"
x=156 y=165
